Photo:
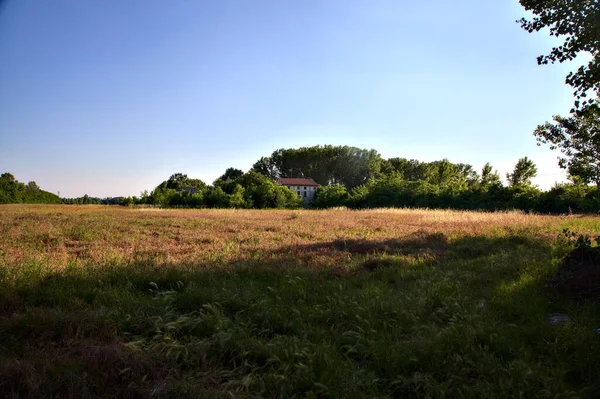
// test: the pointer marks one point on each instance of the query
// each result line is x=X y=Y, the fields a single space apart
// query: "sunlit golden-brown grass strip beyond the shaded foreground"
x=57 y=235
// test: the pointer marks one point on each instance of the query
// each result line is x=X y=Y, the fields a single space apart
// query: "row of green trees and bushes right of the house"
x=442 y=184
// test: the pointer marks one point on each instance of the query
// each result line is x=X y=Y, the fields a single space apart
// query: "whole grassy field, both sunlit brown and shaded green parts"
x=119 y=302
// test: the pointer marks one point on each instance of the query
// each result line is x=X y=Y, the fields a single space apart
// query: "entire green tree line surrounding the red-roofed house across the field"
x=359 y=178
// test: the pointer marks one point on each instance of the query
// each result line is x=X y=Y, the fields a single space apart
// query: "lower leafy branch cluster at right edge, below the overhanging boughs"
x=578 y=138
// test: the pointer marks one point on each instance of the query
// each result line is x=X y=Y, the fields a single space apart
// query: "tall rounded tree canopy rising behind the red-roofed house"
x=327 y=165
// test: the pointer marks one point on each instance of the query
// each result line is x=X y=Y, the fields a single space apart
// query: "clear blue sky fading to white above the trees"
x=111 y=97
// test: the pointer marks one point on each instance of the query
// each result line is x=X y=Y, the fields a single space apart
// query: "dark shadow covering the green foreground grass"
x=421 y=316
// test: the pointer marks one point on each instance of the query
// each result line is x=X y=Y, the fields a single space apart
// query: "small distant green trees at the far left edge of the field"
x=14 y=192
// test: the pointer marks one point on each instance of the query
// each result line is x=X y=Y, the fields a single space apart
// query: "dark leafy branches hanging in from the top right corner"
x=579 y=22
